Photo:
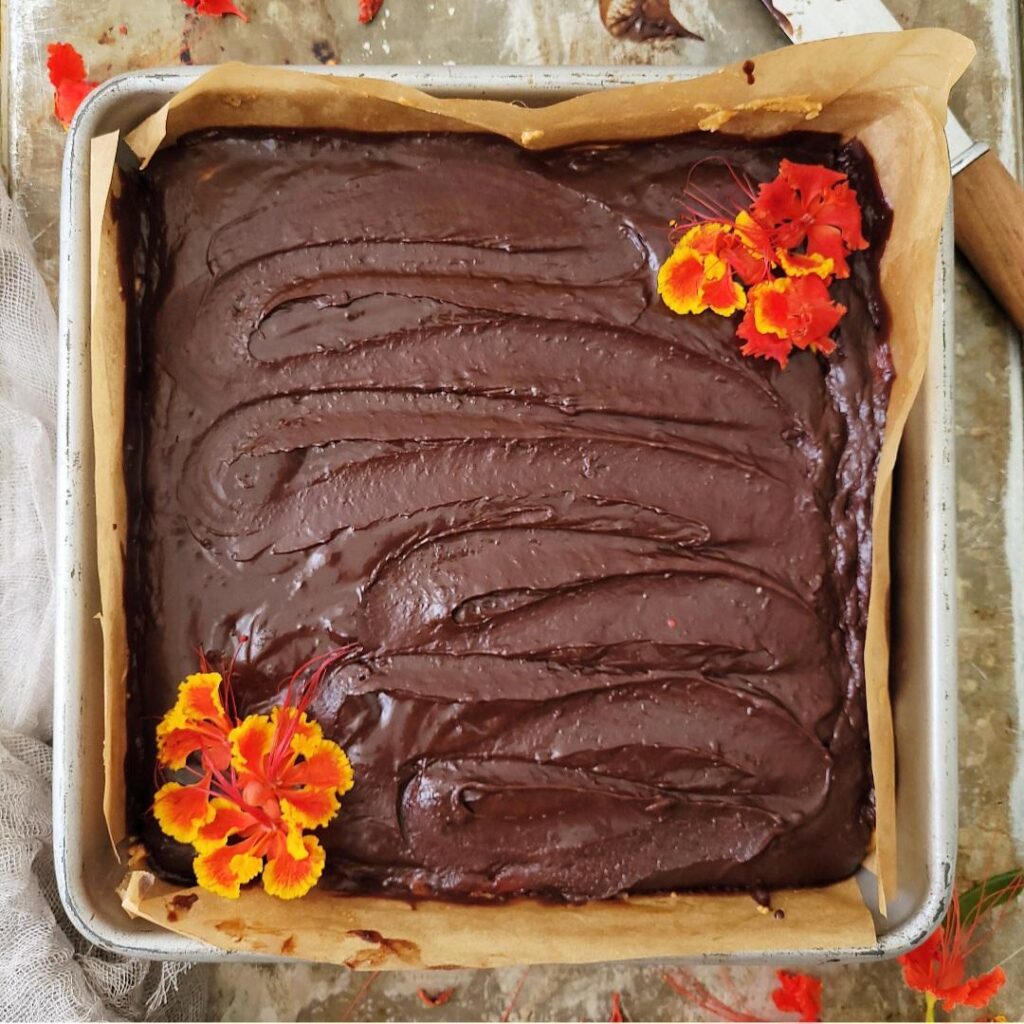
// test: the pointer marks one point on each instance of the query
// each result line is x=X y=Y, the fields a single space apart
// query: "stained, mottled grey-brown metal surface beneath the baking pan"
x=990 y=430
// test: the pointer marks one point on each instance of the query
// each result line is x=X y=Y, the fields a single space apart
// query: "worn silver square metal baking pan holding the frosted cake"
x=923 y=673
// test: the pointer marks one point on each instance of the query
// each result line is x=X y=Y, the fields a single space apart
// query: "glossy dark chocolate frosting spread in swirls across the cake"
x=609 y=578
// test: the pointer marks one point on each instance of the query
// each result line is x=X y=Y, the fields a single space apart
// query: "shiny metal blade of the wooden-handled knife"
x=805 y=21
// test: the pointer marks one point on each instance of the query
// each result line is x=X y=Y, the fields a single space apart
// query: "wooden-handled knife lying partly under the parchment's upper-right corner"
x=989 y=204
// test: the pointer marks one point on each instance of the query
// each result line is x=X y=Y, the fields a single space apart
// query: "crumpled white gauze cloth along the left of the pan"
x=48 y=970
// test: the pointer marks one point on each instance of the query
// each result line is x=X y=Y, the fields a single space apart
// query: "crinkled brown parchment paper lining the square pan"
x=888 y=91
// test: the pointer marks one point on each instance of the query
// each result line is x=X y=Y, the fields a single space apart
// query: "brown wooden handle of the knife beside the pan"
x=989 y=207
